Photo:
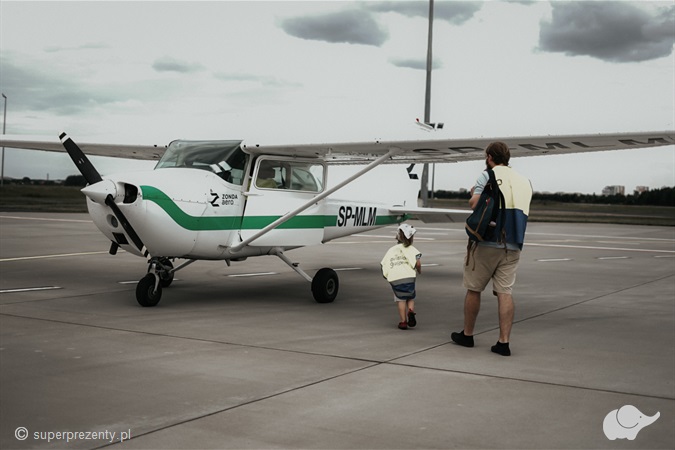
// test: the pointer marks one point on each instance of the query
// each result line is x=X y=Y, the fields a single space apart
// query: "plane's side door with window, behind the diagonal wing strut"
x=279 y=186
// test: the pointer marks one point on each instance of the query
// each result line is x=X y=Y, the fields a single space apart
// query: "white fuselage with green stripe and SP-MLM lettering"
x=204 y=198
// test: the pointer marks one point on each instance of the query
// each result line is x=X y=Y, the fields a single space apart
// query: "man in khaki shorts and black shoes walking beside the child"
x=496 y=259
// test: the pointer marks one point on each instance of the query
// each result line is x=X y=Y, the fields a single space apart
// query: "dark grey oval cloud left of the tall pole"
x=349 y=27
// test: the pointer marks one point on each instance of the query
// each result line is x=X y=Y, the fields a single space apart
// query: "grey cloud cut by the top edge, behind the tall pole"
x=453 y=12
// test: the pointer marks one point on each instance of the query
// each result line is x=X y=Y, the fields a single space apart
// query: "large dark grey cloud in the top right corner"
x=610 y=31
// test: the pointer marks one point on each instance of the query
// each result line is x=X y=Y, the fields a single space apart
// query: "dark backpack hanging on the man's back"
x=481 y=225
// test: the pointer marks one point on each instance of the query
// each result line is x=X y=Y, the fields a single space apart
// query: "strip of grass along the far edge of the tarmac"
x=28 y=198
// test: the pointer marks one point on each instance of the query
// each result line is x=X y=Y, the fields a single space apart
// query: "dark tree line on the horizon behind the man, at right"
x=657 y=197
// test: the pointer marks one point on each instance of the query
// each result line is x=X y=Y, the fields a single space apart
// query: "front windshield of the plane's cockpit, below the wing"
x=224 y=158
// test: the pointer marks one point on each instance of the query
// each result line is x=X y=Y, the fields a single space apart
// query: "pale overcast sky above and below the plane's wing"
x=335 y=71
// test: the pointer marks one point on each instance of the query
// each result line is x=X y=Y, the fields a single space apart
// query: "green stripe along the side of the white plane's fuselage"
x=221 y=223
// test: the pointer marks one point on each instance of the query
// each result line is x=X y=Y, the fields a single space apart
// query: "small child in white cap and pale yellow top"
x=400 y=267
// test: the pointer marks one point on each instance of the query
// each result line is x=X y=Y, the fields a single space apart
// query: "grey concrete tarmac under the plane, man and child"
x=242 y=357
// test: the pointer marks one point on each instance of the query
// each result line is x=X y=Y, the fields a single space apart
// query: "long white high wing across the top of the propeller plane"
x=405 y=151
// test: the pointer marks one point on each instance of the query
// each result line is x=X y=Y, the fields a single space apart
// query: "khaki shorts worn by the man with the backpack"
x=489 y=263
